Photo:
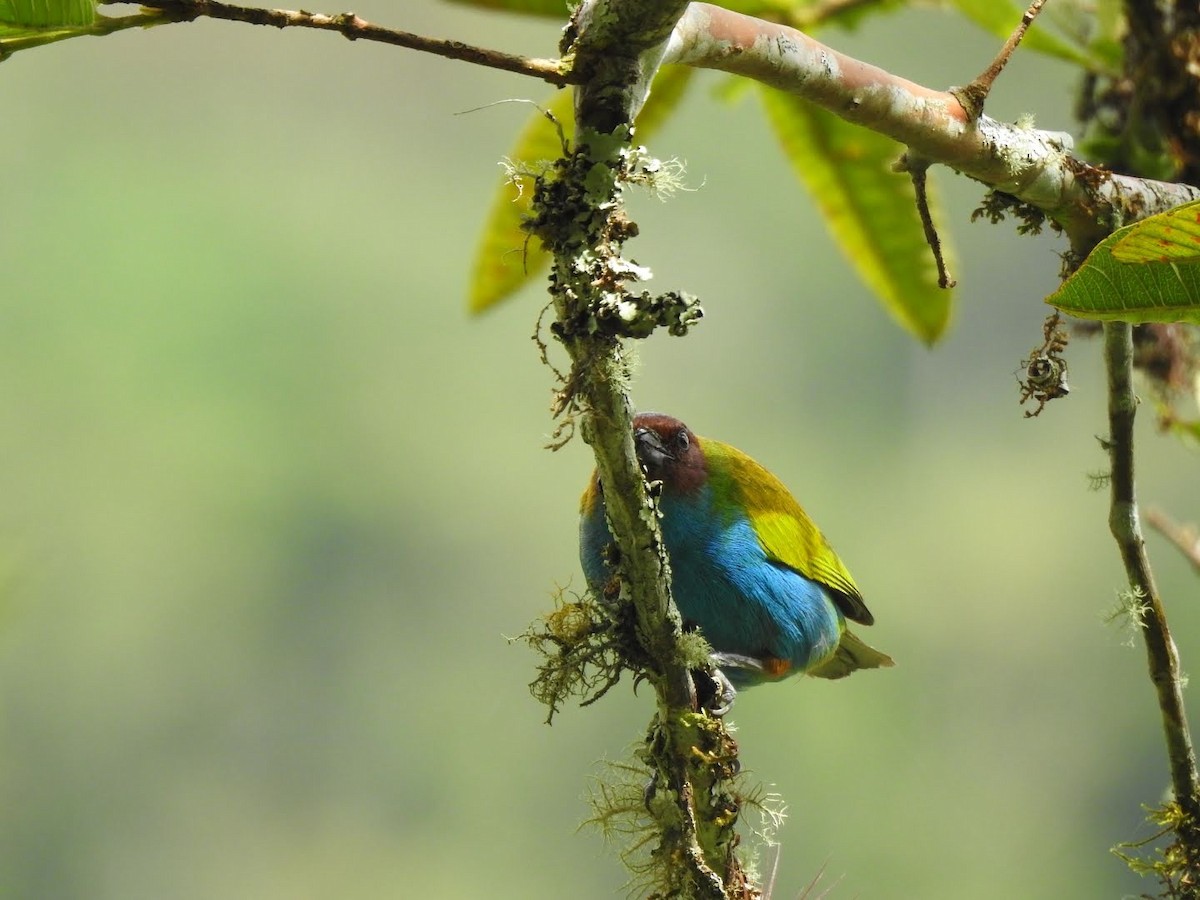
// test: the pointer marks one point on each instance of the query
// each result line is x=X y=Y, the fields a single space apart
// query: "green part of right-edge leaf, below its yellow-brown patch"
x=1108 y=290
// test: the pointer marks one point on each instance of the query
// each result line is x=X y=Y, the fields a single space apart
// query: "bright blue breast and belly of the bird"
x=724 y=584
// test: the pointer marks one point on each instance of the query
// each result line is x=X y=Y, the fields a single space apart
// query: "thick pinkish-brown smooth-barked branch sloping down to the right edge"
x=1034 y=166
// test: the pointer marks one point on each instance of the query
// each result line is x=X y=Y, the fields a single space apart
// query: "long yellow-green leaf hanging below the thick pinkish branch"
x=869 y=209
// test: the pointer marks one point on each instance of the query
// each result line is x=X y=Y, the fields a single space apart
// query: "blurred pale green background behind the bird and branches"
x=272 y=502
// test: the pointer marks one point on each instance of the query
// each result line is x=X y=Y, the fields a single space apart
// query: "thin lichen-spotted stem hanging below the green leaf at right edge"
x=1161 y=653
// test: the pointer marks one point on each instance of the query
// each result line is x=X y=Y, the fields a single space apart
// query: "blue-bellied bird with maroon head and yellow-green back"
x=749 y=569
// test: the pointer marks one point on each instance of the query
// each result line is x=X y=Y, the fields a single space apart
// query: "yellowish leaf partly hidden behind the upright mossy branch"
x=507 y=259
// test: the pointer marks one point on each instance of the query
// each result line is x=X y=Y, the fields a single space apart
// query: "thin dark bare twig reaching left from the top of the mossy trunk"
x=356 y=29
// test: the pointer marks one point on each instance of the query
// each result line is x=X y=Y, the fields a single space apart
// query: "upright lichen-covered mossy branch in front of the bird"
x=579 y=215
